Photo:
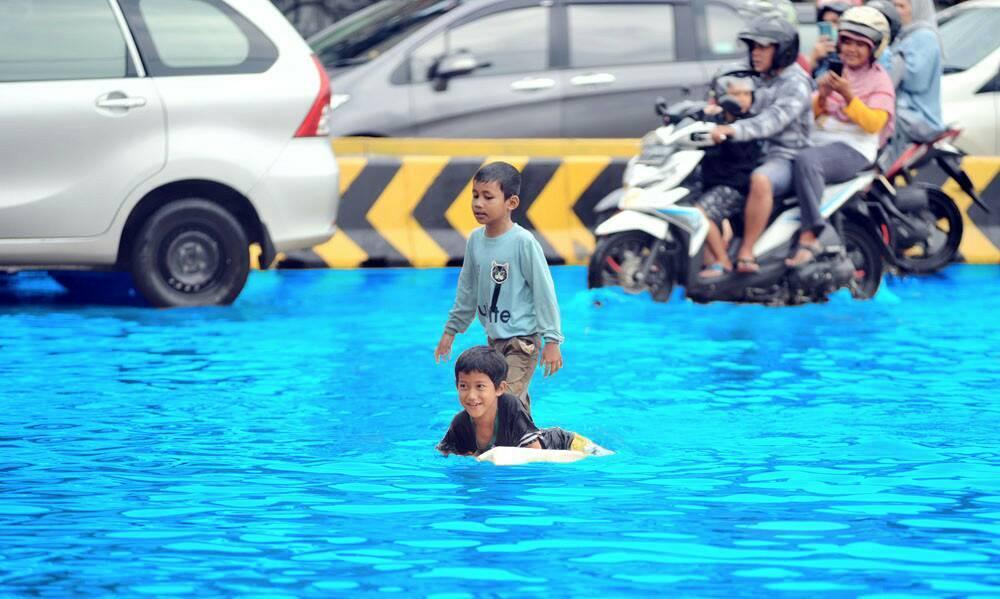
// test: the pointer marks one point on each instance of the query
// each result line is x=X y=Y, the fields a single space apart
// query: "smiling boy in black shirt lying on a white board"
x=491 y=417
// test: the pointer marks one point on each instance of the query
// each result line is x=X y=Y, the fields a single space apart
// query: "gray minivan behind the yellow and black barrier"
x=521 y=68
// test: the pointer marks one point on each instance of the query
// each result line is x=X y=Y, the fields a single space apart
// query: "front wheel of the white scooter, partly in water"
x=620 y=260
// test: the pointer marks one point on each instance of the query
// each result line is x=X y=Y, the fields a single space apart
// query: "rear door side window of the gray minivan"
x=620 y=34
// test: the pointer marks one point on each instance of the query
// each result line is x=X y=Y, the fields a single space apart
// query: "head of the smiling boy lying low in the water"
x=480 y=377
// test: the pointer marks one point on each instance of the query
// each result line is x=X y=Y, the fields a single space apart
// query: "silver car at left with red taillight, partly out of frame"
x=162 y=137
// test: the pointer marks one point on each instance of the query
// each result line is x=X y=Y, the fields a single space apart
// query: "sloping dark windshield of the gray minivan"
x=374 y=30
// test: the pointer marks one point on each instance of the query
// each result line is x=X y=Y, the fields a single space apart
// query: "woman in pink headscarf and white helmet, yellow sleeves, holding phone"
x=853 y=116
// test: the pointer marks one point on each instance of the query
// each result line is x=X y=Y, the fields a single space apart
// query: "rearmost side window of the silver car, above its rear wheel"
x=197 y=37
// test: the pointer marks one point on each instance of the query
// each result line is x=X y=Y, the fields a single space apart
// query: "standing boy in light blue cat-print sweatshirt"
x=506 y=281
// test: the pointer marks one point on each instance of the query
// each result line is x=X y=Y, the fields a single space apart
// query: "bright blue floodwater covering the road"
x=284 y=446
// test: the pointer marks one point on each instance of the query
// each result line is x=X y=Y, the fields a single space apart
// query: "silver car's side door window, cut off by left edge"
x=60 y=39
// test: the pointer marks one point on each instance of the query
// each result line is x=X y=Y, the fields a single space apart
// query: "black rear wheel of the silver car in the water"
x=190 y=252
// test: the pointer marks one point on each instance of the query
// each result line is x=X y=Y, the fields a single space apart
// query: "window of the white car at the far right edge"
x=968 y=37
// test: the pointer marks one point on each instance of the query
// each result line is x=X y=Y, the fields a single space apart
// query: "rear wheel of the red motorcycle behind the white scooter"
x=934 y=253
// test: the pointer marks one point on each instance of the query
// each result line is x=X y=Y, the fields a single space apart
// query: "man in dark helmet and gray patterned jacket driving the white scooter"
x=783 y=121
